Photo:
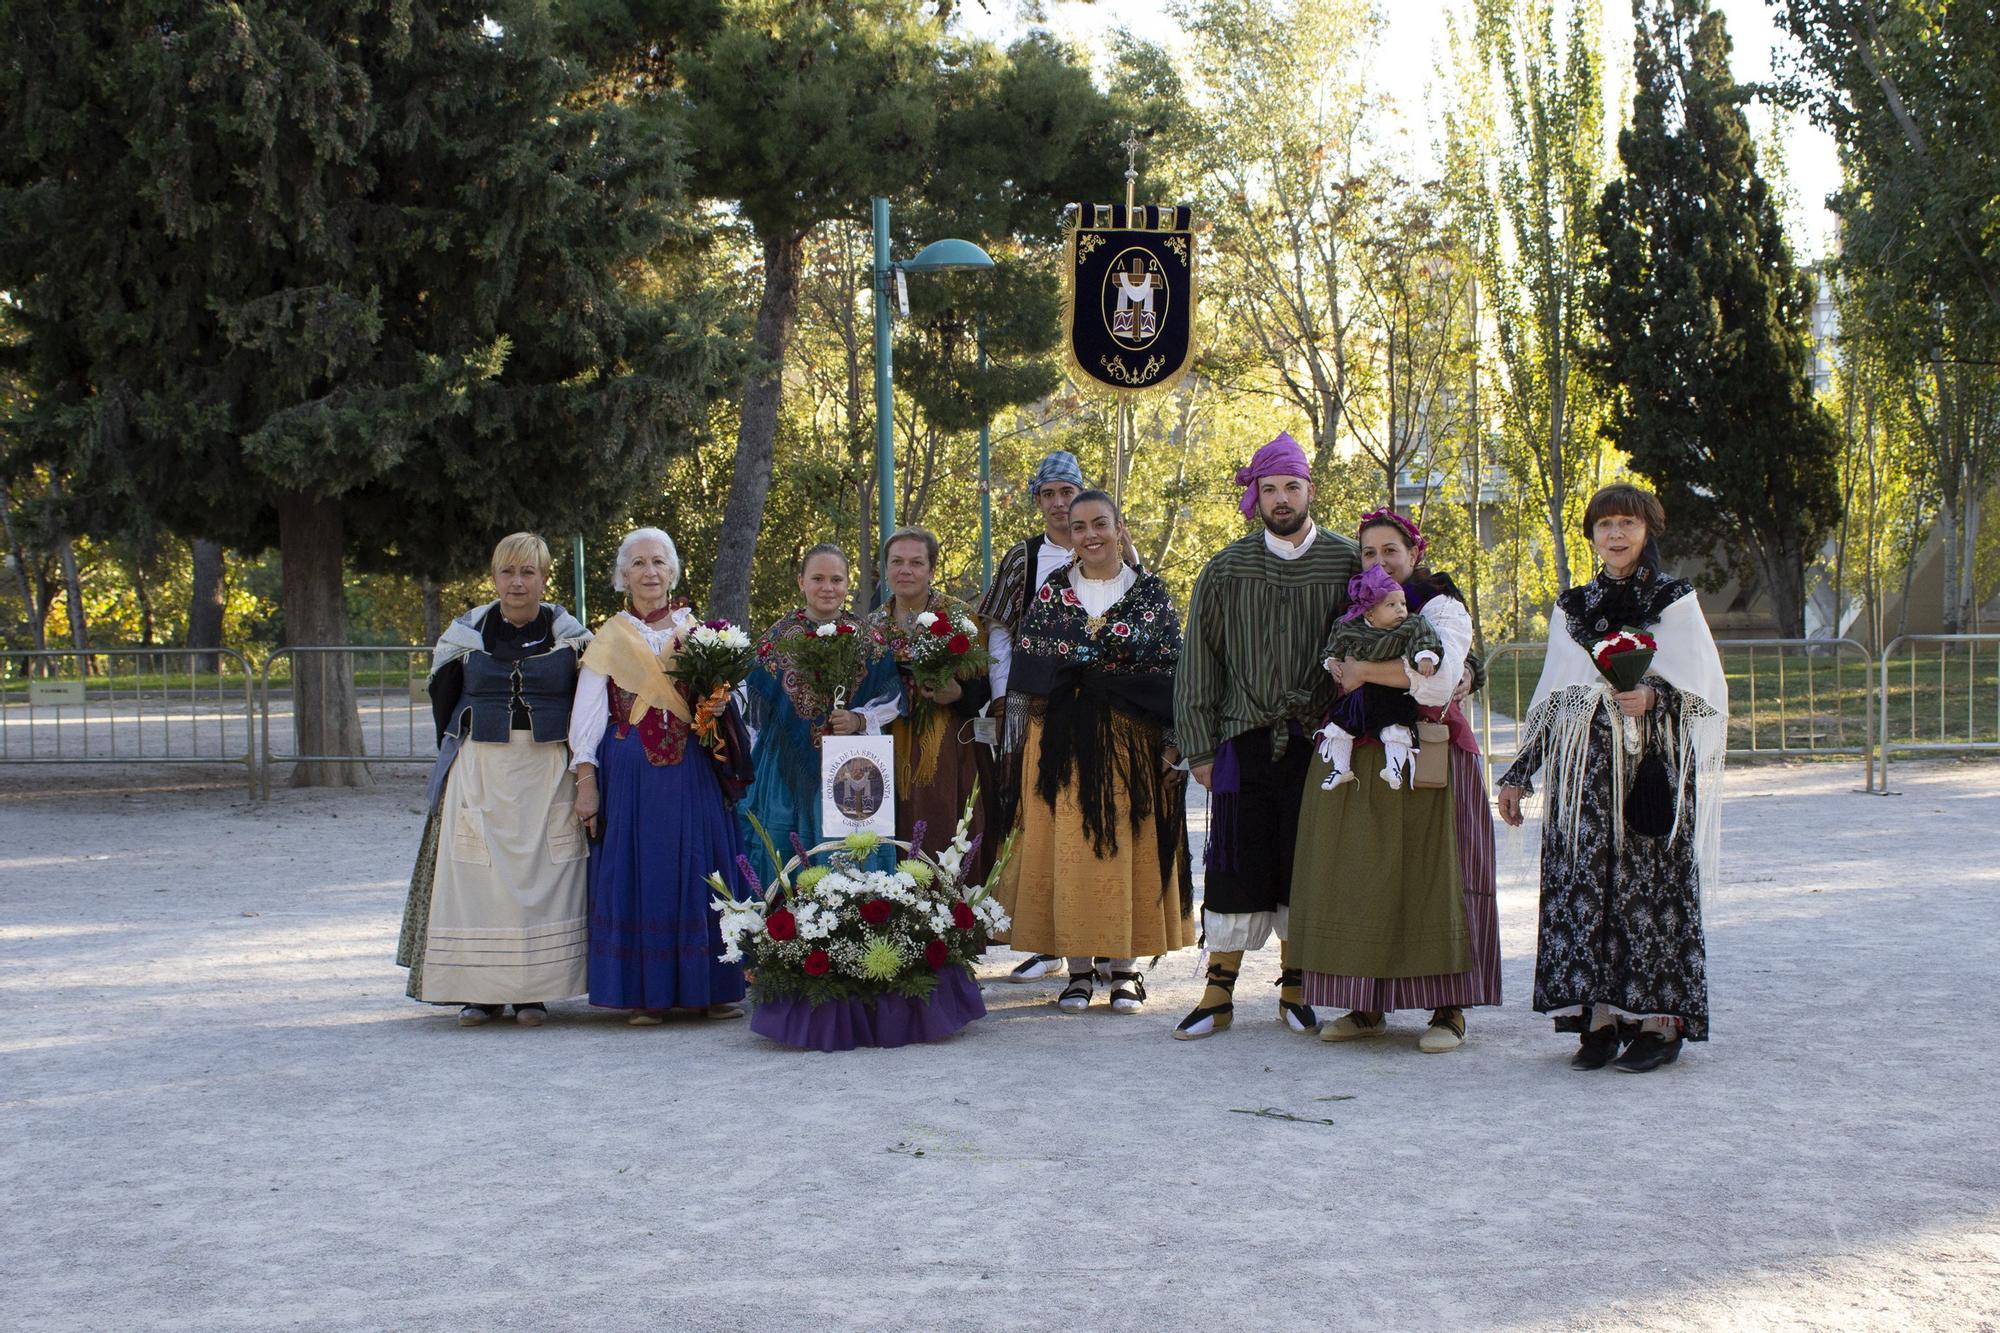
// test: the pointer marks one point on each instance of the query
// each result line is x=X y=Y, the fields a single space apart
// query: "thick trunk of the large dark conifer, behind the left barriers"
x=325 y=716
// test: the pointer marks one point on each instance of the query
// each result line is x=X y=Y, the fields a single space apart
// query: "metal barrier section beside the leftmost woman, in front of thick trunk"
x=389 y=694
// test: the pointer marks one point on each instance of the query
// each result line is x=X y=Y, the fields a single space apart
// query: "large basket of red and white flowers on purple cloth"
x=839 y=932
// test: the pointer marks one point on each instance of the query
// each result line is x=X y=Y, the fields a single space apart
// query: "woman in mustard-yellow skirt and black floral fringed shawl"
x=1101 y=856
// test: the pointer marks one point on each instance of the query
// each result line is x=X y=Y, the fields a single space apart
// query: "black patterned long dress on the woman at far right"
x=1621 y=914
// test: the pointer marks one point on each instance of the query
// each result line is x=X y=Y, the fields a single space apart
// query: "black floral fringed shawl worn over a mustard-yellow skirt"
x=1105 y=694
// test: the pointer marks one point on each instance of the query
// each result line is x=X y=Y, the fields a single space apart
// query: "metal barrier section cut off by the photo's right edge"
x=1921 y=696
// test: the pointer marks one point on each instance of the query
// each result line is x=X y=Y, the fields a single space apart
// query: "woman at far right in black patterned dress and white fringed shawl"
x=1631 y=824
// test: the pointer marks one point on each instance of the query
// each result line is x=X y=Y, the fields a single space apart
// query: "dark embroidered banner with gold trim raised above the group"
x=1129 y=311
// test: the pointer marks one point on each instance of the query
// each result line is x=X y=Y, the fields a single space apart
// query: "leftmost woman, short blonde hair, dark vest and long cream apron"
x=497 y=902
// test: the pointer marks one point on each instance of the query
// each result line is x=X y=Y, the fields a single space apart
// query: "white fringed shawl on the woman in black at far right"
x=1571 y=694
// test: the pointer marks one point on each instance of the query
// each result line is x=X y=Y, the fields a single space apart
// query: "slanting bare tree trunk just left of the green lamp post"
x=757 y=431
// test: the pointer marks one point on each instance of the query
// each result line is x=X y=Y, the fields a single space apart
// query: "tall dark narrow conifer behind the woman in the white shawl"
x=1705 y=319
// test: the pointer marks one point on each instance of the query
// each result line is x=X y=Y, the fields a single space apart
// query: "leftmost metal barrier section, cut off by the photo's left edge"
x=129 y=706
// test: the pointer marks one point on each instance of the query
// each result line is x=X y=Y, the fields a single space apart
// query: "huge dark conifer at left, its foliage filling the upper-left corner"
x=351 y=277
